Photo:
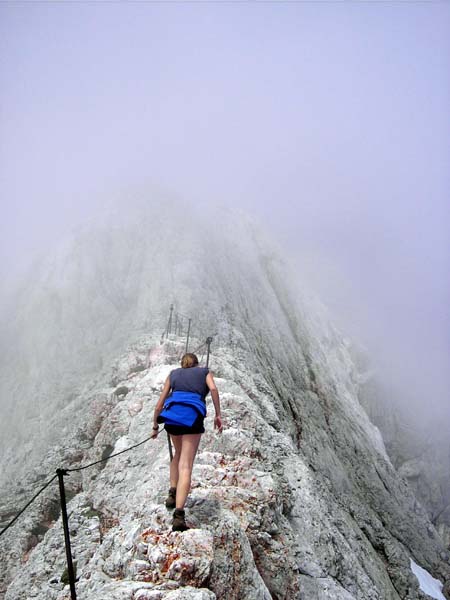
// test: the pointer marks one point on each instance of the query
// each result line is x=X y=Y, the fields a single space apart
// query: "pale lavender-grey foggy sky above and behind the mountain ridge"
x=329 y=121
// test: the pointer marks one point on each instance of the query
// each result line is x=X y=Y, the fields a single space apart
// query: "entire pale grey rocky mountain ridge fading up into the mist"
x=296 y=499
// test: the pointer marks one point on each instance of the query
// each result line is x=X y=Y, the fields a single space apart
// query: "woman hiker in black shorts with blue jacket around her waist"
x=182 y=409
